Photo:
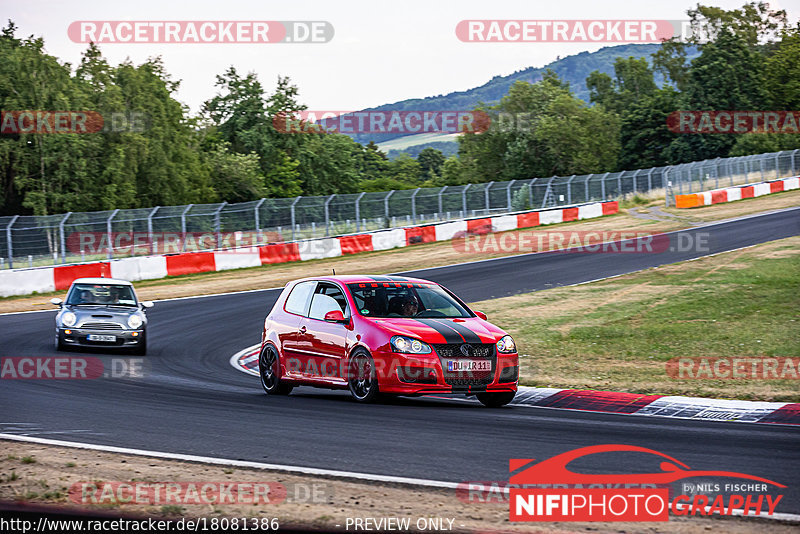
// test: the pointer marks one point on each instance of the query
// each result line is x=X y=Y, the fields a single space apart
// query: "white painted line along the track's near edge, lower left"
x=238 y=463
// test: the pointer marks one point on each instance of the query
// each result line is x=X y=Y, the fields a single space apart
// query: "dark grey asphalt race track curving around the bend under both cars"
x=192 y=401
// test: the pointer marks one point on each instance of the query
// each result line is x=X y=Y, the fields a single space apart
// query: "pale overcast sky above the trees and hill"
x=381 y=52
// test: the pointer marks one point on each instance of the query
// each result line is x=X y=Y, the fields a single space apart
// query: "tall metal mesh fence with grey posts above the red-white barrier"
x=74 y=237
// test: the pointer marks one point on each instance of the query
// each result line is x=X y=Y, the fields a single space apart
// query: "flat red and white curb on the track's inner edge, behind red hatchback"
x=786 y=413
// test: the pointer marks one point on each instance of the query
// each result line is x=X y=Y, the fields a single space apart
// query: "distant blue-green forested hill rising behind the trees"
x=573 y=69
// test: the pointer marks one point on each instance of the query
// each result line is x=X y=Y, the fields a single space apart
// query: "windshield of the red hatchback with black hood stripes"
x=403 y=299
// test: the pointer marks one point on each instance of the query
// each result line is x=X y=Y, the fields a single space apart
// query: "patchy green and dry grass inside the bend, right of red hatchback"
x=618 y=334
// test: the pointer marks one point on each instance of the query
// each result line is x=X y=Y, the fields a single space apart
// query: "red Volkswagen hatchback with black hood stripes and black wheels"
x=384 y=335
